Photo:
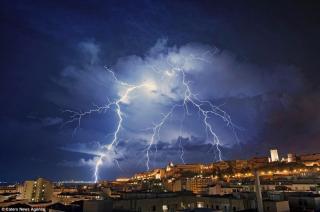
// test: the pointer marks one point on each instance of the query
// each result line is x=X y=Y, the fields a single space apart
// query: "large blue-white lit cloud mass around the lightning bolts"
x=213 y=75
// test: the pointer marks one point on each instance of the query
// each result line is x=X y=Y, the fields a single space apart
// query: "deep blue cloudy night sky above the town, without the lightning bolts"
x=262 y=69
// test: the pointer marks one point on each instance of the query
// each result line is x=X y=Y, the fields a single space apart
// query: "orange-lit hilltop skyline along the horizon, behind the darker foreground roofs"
x=280 y=162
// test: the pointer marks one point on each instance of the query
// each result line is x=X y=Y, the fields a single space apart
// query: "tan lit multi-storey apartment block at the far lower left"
x=38 y=191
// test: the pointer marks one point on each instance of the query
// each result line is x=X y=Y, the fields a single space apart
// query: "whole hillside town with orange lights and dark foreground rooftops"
x=290 y=183
